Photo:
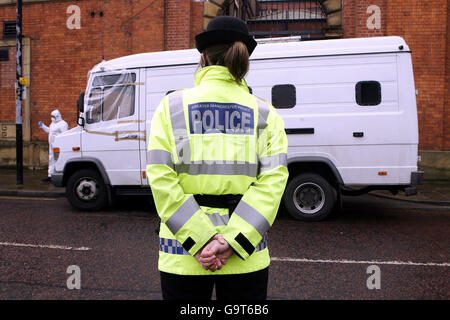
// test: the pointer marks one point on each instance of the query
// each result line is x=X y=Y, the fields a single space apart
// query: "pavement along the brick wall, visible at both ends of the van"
x=434 y=192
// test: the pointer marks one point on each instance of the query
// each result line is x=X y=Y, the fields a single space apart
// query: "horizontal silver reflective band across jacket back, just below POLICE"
x=196 y=168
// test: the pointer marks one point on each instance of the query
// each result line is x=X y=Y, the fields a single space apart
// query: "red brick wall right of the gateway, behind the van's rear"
x=424 y=26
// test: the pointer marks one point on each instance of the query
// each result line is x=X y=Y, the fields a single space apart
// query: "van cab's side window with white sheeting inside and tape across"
x=111 y=97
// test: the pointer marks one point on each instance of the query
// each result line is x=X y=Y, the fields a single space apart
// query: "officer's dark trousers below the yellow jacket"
x=246 y=286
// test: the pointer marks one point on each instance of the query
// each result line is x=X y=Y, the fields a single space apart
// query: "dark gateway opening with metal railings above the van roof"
x=280 y=18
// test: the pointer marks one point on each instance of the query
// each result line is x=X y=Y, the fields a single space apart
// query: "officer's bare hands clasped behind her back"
x=215 y=254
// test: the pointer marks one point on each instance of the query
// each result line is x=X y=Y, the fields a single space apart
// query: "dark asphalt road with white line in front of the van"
x=116 y=251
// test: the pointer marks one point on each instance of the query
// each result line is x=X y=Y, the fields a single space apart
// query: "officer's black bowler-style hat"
x=225 y=29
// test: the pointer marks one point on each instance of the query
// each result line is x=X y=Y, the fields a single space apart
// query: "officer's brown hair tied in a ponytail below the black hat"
x=233 y=56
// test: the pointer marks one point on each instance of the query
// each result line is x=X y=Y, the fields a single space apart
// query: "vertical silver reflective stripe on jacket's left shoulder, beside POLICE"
x=179 y=126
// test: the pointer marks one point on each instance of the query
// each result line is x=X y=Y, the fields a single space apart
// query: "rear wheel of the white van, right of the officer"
x=309 y=197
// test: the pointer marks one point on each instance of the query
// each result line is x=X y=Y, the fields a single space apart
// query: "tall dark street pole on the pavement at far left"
x=19 y=145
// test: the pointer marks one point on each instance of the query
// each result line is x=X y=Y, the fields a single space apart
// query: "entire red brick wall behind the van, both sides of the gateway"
x=61 y=58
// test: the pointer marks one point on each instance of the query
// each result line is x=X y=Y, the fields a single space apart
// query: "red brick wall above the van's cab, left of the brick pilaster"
x=61 y=58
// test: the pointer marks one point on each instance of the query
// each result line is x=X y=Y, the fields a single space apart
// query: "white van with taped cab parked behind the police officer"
x=349 y=109
